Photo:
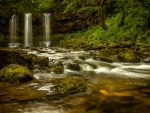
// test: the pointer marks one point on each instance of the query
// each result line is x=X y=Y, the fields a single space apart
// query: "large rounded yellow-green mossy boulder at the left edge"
x=15 y=72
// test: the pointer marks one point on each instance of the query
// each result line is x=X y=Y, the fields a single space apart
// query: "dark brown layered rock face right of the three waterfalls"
x=69 y=22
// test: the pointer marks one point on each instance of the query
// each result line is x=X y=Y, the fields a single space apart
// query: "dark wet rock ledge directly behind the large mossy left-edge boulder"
x=16 y=56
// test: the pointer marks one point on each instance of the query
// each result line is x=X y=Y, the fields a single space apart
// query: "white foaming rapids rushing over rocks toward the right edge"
x=134 y=70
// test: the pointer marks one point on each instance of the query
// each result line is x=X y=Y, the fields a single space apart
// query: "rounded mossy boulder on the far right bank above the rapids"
x=129 y=56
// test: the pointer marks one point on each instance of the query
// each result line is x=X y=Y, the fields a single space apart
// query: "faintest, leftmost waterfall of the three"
x=13 y=31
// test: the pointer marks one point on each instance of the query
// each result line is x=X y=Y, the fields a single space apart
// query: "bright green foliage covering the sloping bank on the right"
x=135 y=25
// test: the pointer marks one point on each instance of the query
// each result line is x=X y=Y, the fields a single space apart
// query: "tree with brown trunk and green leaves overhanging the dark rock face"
x=87 y=5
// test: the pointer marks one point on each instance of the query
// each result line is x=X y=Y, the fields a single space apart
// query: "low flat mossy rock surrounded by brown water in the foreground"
x=69 y=85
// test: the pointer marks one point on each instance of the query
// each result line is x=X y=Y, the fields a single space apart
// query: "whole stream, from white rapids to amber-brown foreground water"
x=112 y=87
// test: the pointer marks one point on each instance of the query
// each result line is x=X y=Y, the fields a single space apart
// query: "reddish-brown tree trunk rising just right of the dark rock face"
x=102 y=15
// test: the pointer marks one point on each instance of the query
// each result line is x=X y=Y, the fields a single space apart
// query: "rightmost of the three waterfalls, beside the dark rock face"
x=47 y=26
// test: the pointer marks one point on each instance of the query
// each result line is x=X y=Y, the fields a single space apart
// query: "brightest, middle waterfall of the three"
x=28 y=30
